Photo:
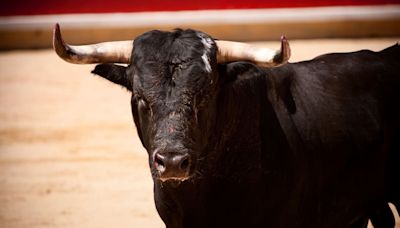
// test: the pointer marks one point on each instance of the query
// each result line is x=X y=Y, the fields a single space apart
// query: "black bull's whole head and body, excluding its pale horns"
x=307 y=144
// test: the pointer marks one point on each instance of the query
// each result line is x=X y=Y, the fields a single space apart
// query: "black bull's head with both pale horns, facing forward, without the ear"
x=174 y=80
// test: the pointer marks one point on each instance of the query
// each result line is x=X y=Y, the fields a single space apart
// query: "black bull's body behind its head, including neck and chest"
x=303 y=145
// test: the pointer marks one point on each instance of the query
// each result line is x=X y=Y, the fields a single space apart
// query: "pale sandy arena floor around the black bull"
x=69 y=153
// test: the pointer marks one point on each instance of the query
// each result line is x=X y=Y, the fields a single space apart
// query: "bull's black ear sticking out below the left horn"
x=114 y=73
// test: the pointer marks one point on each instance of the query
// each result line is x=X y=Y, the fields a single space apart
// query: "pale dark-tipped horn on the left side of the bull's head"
x=107 y=52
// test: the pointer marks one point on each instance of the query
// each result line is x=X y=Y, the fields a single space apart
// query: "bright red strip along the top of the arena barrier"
x=32 y=7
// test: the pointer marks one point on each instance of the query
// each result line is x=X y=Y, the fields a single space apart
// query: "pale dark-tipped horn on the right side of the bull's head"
x=229 y=51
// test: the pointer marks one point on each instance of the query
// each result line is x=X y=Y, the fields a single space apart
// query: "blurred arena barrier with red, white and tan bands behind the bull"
x=28 y=23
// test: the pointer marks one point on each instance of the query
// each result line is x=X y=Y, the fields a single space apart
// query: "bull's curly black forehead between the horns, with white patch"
x=180 y=60
